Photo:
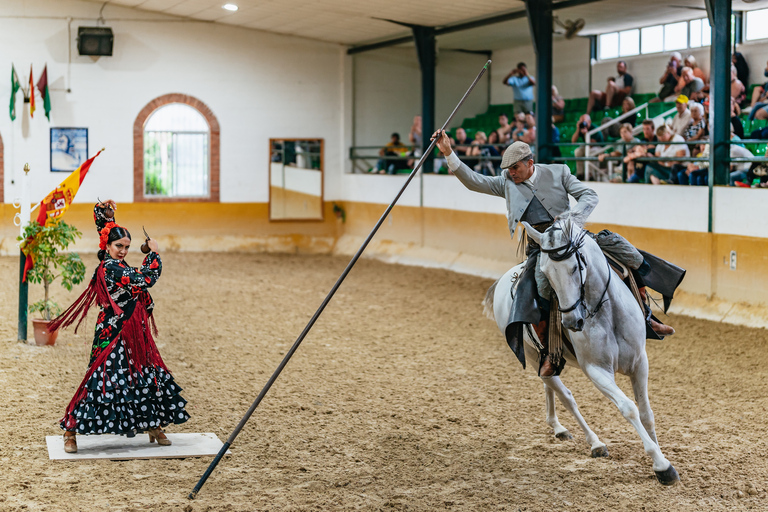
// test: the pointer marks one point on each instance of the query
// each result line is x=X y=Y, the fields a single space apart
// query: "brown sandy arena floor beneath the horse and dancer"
x=403 y=397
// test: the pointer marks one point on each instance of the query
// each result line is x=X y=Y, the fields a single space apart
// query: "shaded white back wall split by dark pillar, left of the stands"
x=387 y=91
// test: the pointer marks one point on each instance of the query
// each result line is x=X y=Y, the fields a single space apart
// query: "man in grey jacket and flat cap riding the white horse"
x=537 y=194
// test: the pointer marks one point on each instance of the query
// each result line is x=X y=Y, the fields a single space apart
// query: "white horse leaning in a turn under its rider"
x=607 y=334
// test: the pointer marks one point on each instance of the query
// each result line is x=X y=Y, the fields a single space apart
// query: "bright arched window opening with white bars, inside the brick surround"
x=176 y=153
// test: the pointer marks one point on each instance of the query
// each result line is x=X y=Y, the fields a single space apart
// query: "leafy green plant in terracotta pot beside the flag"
x=46 y=245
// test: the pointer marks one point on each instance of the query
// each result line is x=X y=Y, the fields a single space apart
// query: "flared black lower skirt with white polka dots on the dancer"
x=126 y=401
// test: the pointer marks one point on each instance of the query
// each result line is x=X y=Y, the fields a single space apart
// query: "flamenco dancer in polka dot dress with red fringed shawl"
x=127 y=388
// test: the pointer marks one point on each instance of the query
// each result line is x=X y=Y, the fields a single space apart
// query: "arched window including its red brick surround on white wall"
x=176 y=151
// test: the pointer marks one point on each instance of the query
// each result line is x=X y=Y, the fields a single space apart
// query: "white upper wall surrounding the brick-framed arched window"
x=258 y=85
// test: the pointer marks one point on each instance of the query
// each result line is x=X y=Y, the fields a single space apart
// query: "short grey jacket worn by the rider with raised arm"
x=554 y=183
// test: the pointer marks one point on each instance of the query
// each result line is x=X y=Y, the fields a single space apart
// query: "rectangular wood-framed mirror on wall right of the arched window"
x=296 y=179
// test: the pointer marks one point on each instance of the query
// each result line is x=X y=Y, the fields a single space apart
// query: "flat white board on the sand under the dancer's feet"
x=123 y=448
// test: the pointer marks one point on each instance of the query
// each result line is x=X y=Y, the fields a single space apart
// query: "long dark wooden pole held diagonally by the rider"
x=327 y=299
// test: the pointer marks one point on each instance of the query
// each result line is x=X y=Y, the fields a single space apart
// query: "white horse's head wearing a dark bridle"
x=565 y=250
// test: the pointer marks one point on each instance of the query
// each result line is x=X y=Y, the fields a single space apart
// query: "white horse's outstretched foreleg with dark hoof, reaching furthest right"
x=604 y=381
